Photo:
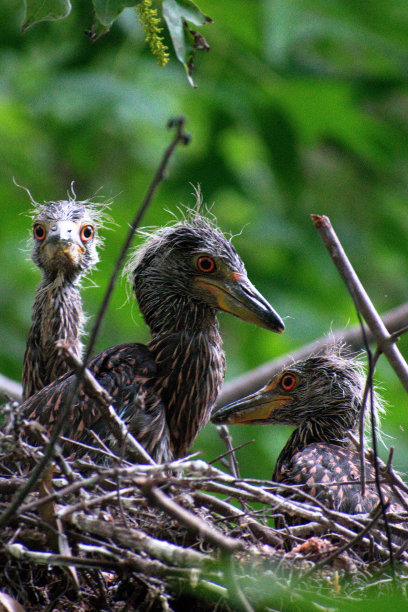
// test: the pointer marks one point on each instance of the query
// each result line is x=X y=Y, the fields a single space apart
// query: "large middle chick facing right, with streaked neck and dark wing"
x=182 y=275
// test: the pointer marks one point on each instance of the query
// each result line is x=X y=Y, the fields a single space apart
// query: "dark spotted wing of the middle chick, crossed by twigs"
x=124 y=371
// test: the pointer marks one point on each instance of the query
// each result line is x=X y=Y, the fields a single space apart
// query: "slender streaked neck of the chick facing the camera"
x=57 y=316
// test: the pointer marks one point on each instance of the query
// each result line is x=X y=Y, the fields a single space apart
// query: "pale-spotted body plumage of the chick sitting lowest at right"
x=318 y=465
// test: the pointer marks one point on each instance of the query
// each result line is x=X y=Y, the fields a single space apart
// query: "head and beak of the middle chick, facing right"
x=191 y=264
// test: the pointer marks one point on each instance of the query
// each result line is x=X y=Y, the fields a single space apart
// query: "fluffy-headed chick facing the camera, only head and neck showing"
x=65 y=241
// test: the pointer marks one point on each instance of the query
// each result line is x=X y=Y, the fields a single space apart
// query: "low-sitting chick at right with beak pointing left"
x=321 y=397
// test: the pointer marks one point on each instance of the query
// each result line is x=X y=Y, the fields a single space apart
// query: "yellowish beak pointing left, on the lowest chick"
x=256 y=409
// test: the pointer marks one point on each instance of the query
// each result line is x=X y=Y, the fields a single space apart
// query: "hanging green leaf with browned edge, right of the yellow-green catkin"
x=185 y=41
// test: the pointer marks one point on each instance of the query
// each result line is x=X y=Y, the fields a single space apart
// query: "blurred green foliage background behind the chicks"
x=301 y=107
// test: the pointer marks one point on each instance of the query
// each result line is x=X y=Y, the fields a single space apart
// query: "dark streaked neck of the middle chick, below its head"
x=191 y=366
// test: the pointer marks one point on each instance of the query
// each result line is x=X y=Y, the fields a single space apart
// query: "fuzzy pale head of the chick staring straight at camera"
x=65 y=236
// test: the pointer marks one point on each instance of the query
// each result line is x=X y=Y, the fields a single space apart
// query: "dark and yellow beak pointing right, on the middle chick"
x=239 y=297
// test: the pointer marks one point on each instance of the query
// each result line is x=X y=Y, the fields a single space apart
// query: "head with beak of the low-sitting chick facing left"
x=325 y=388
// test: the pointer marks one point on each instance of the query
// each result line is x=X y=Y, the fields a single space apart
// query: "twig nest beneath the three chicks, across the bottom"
x=115 y=535
